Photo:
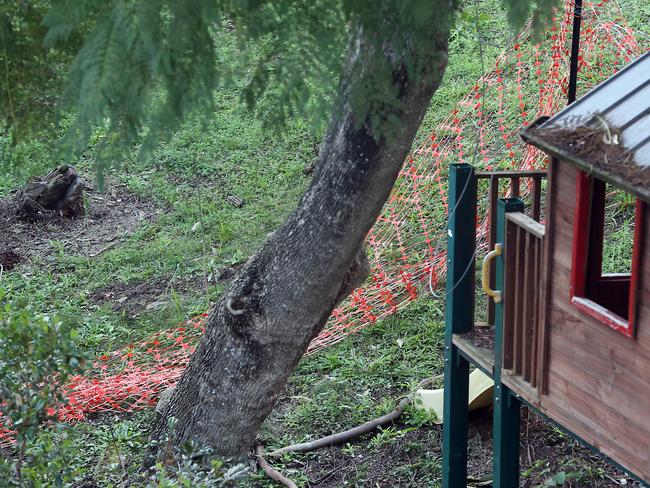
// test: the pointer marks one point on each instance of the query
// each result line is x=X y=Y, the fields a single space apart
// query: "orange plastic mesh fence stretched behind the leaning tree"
x=407 y=244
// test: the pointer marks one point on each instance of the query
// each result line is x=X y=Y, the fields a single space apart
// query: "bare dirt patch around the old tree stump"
x=111 y=217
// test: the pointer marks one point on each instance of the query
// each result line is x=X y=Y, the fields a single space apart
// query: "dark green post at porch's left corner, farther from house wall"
x=459 y=318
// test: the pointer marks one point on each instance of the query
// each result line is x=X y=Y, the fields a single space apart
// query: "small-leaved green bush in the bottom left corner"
x=37 y=355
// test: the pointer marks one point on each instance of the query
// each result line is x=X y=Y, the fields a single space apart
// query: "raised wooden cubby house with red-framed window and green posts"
x=563 y=336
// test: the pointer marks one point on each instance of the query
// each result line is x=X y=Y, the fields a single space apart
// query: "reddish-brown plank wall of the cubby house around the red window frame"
x=598 y=379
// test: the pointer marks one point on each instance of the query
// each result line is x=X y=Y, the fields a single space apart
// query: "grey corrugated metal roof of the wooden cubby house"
x=620 y=105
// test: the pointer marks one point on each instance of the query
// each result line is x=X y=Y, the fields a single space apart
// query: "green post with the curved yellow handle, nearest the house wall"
x=506 y=403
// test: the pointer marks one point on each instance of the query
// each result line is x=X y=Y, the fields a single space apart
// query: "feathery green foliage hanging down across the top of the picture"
x=147 y=65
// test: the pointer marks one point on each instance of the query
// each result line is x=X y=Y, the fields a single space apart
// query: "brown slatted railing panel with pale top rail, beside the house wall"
x=523 y=325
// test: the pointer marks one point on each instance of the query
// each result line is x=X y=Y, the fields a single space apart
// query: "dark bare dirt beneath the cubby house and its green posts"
x=544 y=452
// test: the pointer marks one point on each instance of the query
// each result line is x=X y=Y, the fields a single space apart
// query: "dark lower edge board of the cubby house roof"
x=532 y=138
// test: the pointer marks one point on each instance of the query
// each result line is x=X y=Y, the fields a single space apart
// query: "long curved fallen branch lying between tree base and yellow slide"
x=355 y=432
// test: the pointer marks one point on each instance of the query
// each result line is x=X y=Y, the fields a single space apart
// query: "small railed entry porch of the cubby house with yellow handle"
x=516 y=239
